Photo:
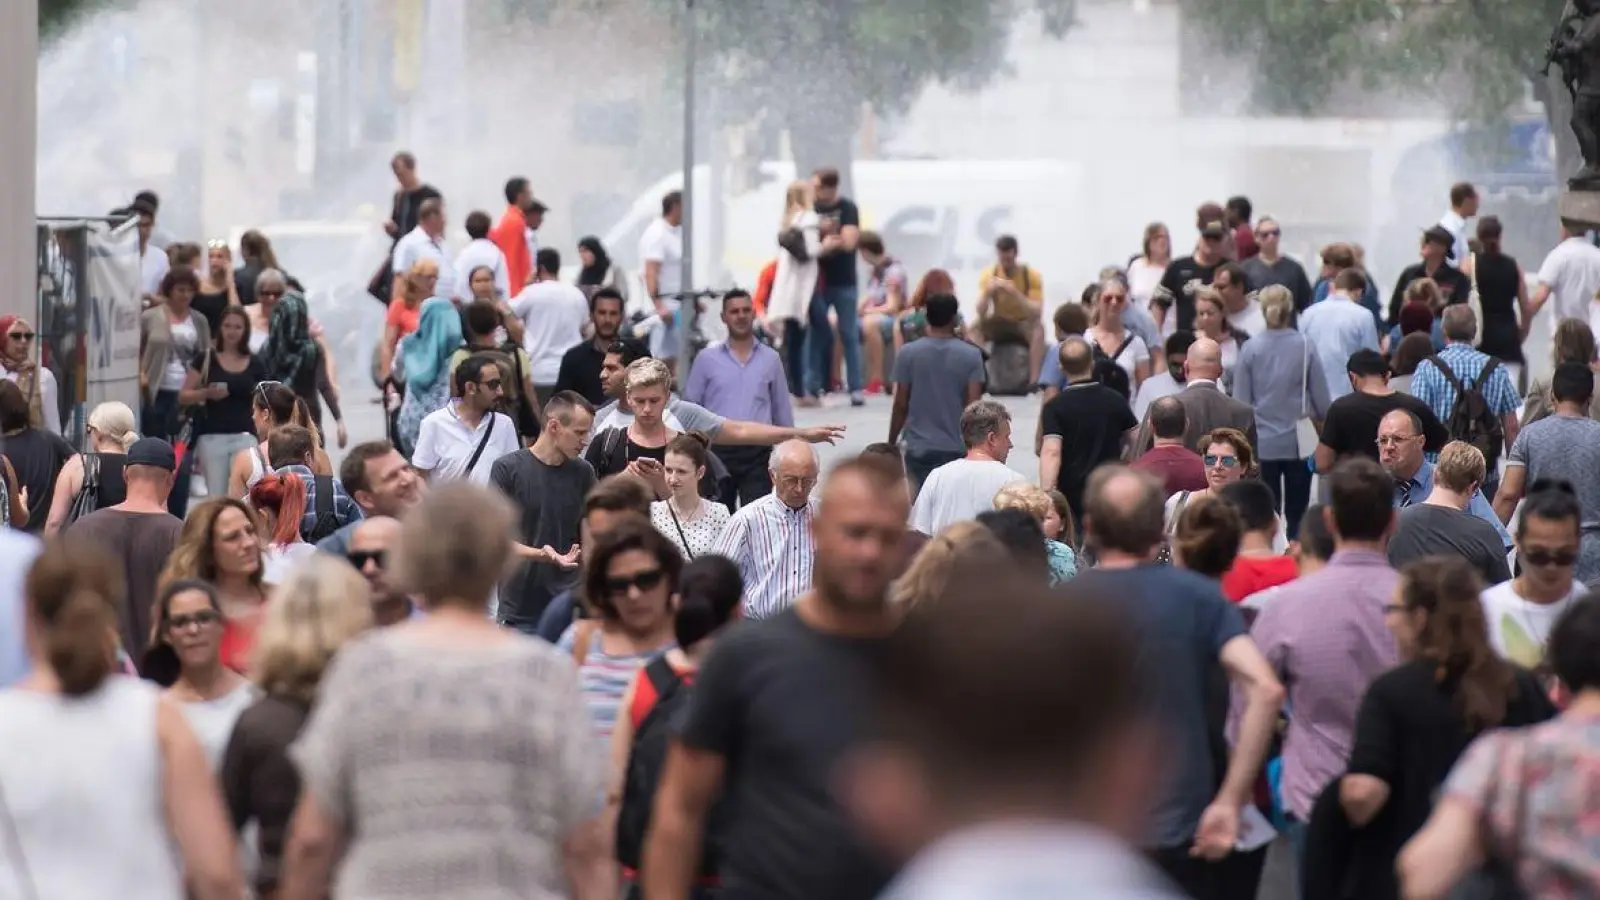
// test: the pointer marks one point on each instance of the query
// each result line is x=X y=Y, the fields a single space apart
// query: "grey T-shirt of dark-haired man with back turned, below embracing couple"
x=938 y=372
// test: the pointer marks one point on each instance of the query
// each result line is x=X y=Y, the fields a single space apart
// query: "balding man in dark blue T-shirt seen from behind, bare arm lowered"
x=1185 y=627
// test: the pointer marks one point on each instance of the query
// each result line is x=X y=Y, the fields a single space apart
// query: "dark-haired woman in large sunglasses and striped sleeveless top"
x=628 y=595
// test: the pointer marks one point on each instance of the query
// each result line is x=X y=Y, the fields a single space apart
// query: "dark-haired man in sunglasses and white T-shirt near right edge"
x=1522 y=613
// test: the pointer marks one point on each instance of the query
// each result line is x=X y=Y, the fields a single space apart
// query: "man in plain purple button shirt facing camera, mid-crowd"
x=743 y=380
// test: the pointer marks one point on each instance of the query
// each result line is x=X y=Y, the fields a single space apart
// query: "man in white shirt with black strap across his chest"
x=462 y=441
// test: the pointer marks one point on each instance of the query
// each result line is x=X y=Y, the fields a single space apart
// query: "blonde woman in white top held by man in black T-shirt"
x=790 y=307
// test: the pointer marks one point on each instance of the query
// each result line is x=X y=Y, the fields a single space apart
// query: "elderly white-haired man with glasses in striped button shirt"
x=772 y=540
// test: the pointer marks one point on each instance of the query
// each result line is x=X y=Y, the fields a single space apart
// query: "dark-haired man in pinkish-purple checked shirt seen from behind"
x=1327 y=640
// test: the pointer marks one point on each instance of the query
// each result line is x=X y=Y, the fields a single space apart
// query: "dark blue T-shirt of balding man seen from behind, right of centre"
x=1183 y=622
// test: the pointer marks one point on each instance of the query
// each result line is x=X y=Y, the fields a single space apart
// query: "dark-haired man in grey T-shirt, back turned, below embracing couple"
x=935 y=379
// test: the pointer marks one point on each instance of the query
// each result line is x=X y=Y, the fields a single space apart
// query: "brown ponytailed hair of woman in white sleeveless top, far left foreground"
x=73 y=595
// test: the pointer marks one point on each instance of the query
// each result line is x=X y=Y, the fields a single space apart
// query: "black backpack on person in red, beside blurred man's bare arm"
x=646 y=763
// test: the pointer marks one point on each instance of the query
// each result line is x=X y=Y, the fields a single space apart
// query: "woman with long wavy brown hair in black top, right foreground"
x=1418 y=718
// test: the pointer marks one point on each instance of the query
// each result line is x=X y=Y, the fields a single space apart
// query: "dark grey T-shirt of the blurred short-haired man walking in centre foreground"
x=785 y=705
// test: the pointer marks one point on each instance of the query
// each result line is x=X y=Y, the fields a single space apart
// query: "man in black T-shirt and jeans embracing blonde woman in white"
x=841 y=227
